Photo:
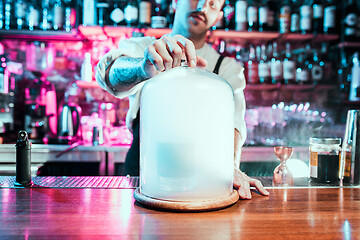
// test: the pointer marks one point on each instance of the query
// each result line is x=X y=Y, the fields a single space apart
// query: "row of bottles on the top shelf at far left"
x=38 y=15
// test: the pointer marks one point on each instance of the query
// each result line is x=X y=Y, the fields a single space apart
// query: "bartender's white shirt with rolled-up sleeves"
x=229 y=69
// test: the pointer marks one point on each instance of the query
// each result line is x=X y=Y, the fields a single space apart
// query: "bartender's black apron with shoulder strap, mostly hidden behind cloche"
x=133 y=156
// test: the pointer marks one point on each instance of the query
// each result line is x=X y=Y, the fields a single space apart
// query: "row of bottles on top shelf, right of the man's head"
x=285 y=16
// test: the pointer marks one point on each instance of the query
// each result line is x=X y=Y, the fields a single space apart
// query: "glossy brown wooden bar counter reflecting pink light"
x=112 y=213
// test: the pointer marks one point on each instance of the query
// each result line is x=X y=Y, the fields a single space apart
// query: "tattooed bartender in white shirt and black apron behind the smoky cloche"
x=123 y=71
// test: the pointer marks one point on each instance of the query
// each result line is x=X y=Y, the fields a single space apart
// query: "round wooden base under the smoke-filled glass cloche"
x=184 y=206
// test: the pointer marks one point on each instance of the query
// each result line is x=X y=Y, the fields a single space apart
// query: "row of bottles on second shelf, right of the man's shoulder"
x=266 y=64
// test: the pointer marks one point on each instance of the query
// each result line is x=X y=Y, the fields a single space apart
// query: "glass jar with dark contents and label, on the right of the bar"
x=324 y=160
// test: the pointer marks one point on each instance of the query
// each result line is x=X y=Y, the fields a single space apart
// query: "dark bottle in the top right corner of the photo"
x=350 y=21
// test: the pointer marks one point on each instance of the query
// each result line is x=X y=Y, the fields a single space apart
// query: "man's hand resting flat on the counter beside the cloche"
x=242 y=183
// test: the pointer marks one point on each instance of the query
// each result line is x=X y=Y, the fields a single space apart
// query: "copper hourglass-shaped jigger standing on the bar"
x=282 y=175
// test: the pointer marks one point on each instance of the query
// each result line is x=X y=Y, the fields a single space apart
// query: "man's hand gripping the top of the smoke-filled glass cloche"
x=167 y=52
